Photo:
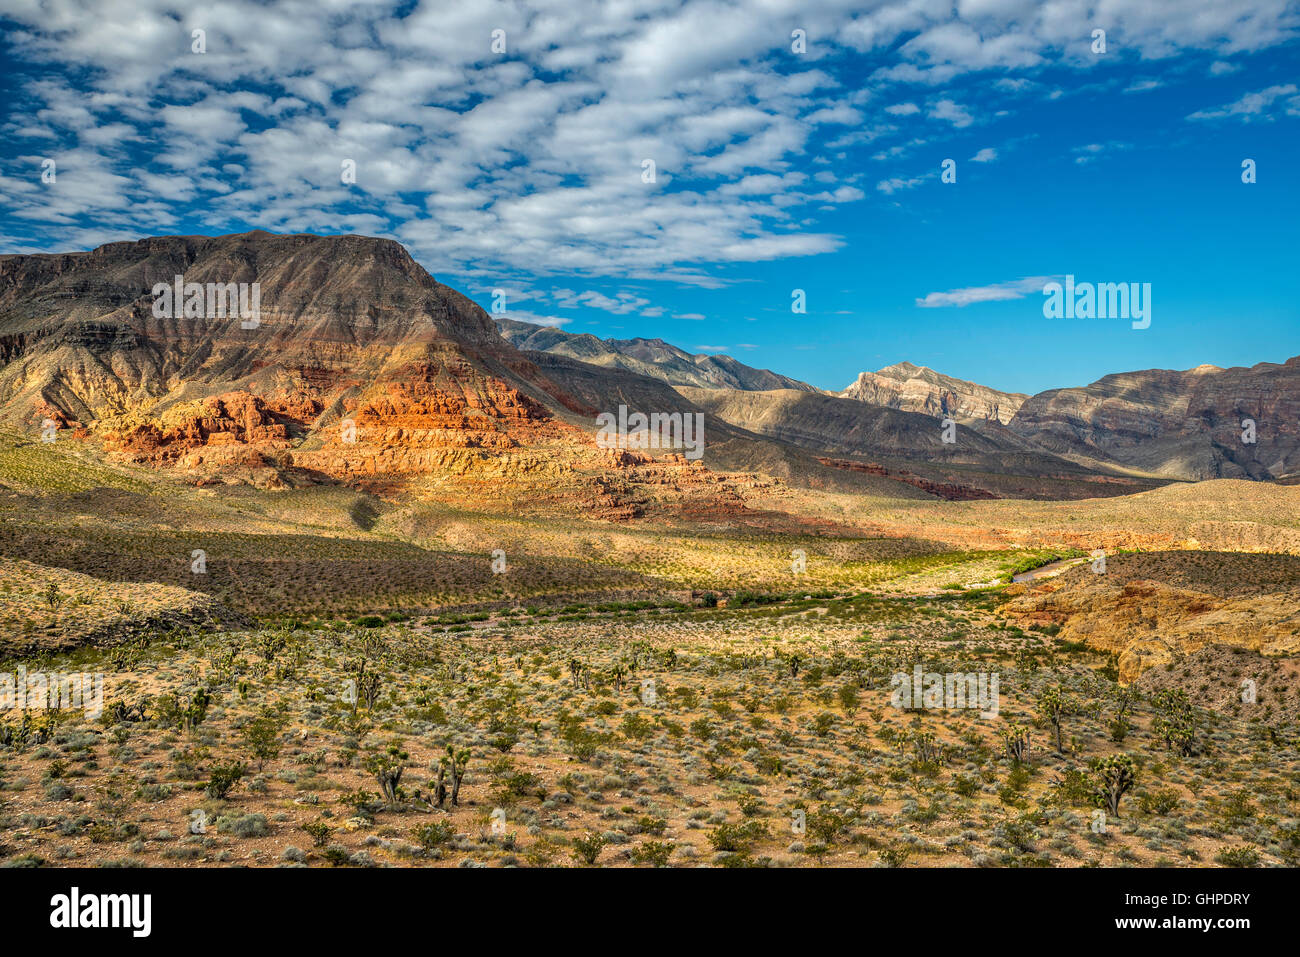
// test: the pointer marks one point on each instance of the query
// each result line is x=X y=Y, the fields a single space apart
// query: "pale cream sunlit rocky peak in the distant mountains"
x=917 y=389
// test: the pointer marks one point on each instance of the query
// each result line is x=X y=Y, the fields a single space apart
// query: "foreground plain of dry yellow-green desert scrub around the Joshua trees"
x=759 y=713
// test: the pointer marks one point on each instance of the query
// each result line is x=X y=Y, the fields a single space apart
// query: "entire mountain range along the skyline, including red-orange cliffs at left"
x=362 y=369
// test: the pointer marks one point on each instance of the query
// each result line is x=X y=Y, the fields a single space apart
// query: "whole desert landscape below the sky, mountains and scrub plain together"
x=354 y=583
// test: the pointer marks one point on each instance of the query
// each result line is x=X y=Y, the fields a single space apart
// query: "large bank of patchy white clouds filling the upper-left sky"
x=528 y=162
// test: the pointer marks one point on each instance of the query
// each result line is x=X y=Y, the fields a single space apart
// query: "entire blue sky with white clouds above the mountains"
x=775 y=170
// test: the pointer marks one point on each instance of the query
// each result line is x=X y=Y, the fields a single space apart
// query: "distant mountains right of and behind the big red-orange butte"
x=1184 y=426
